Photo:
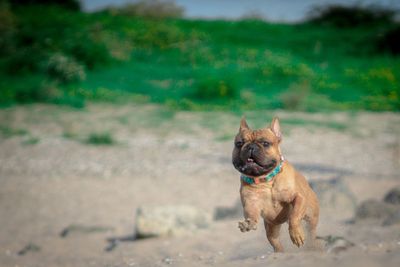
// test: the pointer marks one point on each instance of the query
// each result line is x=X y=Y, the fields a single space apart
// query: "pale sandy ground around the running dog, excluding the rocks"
x=50 y=179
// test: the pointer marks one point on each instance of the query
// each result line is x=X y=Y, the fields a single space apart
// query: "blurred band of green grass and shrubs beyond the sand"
x=64 y=56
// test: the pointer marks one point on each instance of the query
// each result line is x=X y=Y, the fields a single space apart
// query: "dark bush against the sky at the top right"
x=352 y=16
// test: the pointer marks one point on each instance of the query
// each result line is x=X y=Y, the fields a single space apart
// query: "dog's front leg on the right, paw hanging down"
x=296 y=231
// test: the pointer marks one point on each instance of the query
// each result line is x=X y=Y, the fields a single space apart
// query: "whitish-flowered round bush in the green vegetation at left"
x=64 y=69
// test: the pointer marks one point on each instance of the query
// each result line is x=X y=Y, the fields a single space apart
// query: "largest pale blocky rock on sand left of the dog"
x=153 y=221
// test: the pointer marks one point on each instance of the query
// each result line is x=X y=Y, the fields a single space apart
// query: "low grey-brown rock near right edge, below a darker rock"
x=374 y=209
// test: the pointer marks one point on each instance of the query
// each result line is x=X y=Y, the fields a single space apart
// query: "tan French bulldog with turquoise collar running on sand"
x=271 y=188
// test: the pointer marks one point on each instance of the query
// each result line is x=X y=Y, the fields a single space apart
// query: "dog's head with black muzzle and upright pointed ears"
x=256 y=152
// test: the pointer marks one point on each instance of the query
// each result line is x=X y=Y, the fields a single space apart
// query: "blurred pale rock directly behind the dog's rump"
x=335 y=197
